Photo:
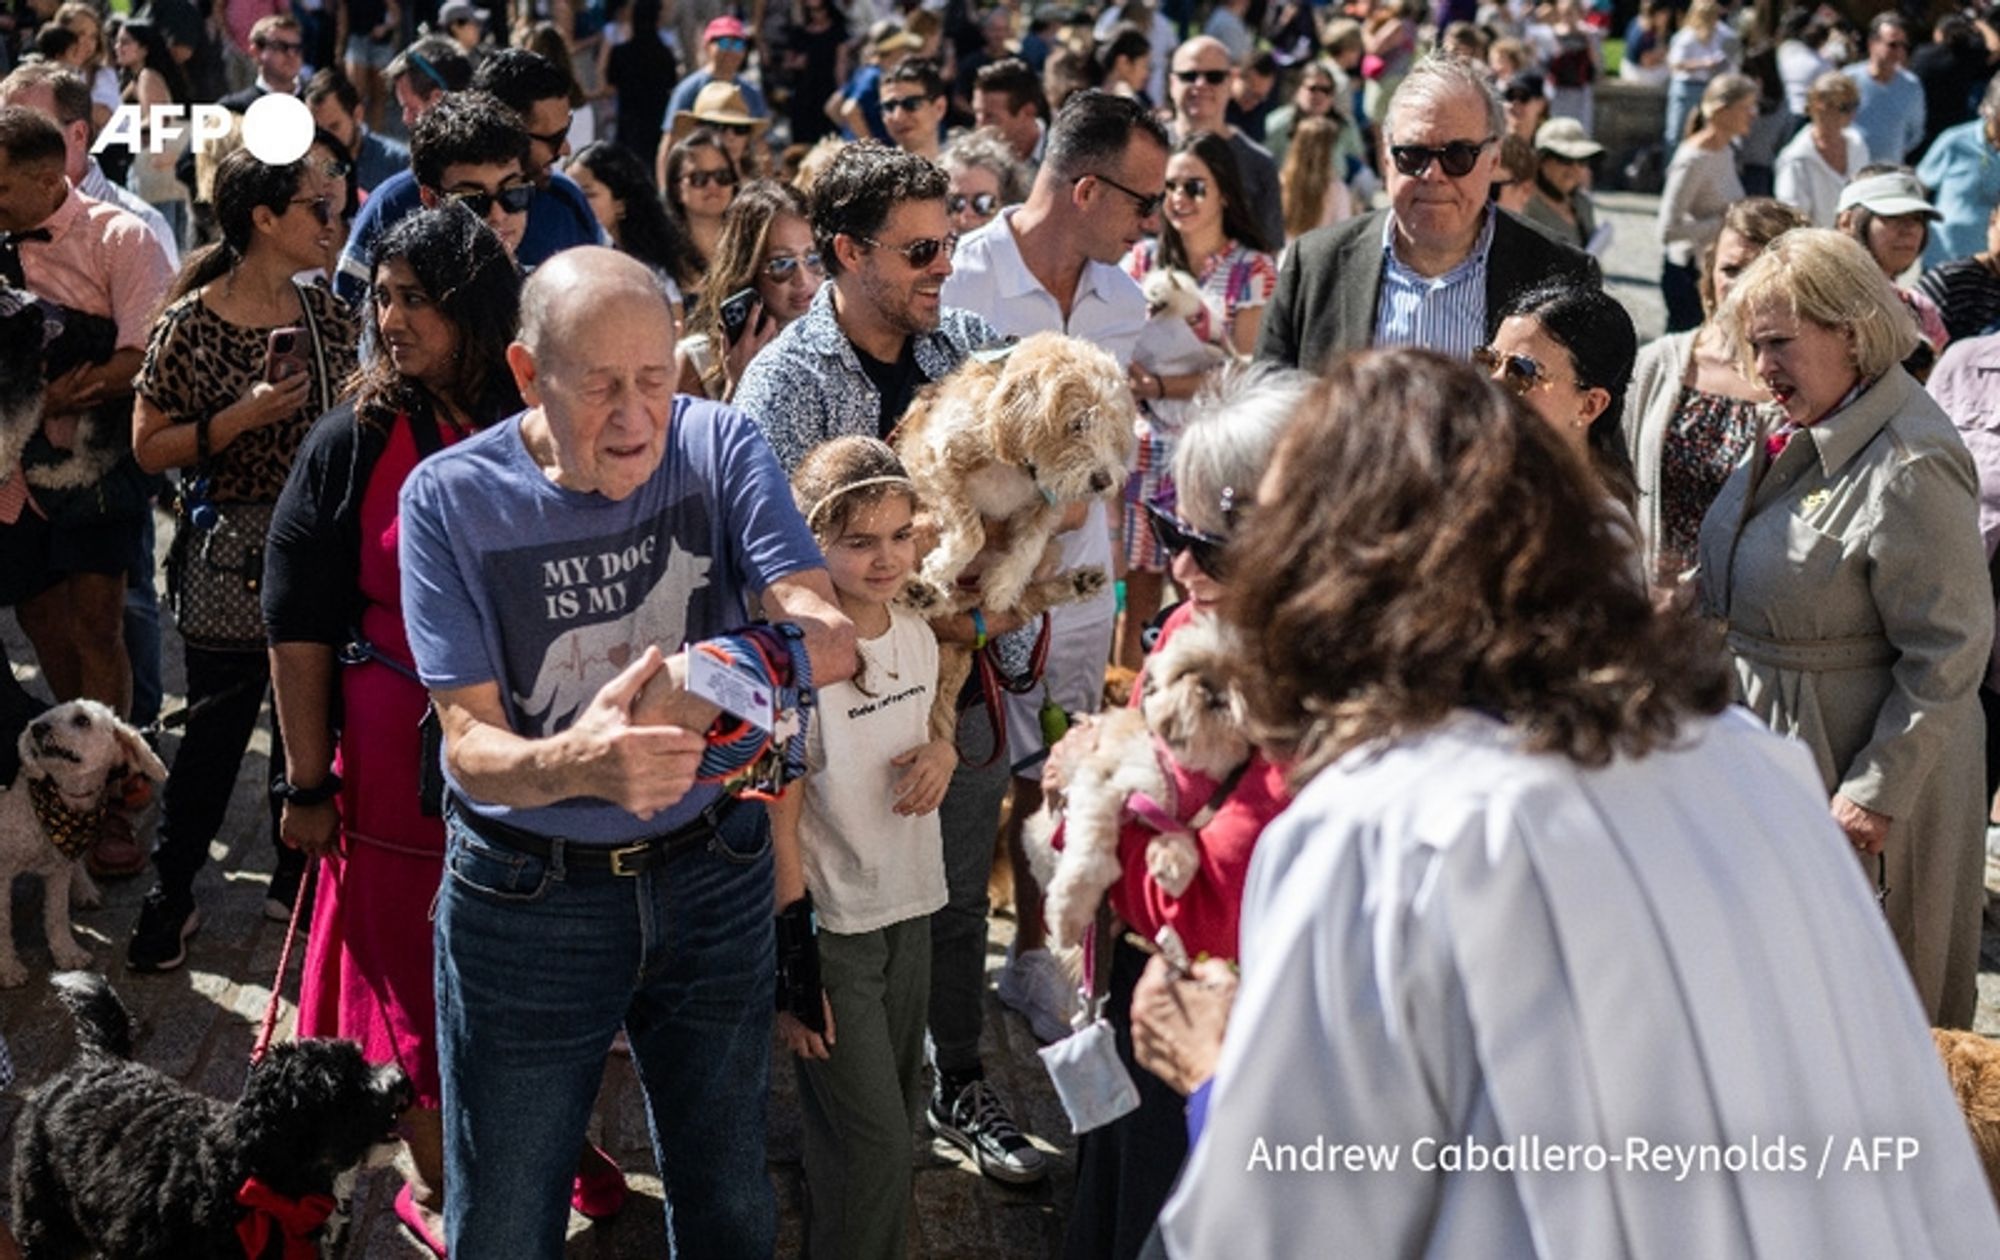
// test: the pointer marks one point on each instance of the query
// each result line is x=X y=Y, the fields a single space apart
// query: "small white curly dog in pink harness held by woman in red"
x=1189 y=713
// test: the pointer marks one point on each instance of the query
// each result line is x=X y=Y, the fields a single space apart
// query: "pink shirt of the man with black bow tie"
x=101 y=261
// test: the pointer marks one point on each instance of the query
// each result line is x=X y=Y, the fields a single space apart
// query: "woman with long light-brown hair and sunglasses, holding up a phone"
x=765 y=275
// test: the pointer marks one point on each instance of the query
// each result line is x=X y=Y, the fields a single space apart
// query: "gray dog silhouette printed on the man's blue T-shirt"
x=583 y=659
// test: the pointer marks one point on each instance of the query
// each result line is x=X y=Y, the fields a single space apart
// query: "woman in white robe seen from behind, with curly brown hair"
x=1545 y=903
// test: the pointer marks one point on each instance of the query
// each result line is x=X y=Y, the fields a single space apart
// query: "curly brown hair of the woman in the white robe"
x=1423 y=543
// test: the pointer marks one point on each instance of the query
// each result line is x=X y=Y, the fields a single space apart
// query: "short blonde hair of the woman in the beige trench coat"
x=1829 y=279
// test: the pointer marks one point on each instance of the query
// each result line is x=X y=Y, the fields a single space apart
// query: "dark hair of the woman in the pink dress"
x=473 y=283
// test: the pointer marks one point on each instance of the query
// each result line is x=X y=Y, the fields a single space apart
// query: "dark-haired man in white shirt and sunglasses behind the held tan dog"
x=1051 y=265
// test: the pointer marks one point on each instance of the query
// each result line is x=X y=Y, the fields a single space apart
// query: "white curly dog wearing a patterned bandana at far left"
x=75 y=761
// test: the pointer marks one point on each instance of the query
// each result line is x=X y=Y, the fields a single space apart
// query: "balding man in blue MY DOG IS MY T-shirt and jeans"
x=553 y=569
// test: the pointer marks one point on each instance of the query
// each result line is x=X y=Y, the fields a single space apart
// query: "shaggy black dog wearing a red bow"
x=115 y=1159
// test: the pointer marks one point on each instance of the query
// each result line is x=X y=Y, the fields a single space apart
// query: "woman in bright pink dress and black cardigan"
x=439 y=319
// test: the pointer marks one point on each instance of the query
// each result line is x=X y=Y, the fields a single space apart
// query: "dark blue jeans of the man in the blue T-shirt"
x=539 y=967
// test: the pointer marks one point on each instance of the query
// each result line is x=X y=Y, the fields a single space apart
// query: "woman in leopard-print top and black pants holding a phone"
x=241 y=363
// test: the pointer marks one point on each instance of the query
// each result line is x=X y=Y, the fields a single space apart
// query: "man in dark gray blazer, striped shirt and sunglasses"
x=1441 y=263
